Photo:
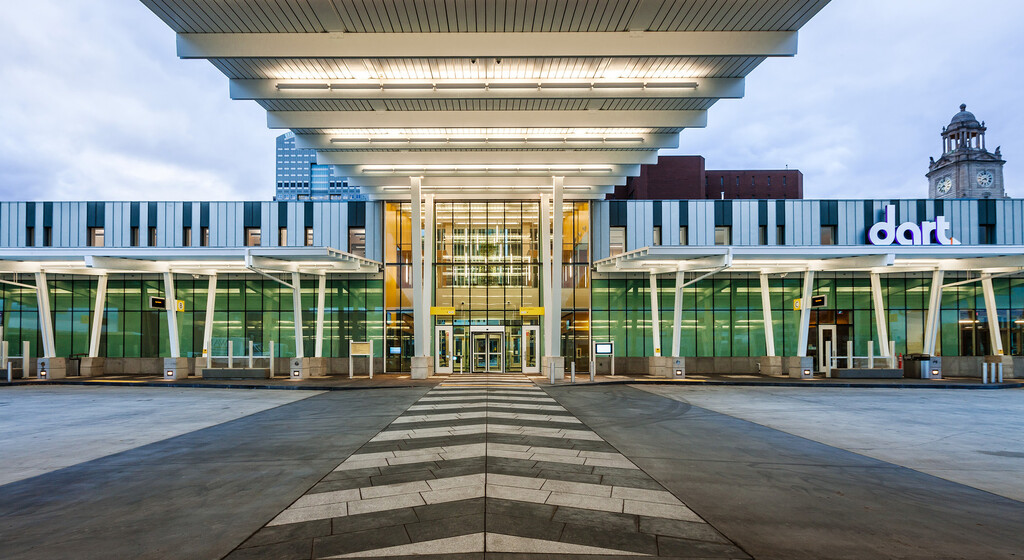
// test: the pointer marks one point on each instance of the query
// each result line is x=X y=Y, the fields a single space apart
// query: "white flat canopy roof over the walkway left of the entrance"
x=307 y=261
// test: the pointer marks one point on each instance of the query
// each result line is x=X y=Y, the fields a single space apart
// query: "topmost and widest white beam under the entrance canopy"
x=461 y=46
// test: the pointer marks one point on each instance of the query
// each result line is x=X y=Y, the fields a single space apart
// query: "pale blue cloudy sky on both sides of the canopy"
x=97 y=106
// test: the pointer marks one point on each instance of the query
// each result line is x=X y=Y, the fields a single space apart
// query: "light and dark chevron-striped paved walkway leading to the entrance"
x=487 y=466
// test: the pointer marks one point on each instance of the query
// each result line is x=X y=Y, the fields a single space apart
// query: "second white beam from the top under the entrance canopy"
x=699 y=89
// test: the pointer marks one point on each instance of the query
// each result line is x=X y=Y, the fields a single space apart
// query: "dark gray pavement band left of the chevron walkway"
x=195 y=496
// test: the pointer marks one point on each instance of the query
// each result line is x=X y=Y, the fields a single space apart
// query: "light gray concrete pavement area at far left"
x=45 y=428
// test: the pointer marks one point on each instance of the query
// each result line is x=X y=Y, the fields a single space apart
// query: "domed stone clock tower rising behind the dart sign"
x=966 y=169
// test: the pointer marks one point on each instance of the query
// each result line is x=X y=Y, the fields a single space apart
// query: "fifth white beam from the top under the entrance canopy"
x=359 y=161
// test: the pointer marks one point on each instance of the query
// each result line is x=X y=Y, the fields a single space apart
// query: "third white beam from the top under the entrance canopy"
x=486 y=119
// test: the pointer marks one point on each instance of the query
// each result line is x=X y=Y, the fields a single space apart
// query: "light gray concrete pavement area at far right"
x=971 y=438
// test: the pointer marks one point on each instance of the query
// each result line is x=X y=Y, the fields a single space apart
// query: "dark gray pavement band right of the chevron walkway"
x=780 y=496
